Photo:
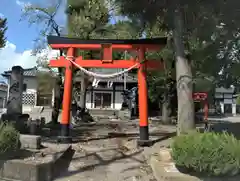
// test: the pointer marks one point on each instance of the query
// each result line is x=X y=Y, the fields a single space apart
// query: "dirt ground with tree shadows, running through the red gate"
x=102 y=158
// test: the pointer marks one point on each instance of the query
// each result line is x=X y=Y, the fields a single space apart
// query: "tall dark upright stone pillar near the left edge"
x=14 y=104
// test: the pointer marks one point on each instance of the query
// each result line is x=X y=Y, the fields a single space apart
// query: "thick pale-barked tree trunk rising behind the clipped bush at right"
x=184 y=78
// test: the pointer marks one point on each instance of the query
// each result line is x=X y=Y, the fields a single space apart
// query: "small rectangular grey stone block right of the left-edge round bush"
x=30 y=141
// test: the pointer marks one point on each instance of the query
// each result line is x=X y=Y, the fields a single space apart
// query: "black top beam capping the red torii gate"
x=66 y=40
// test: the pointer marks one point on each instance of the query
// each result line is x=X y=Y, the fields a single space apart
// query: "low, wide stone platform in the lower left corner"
x=38 y=167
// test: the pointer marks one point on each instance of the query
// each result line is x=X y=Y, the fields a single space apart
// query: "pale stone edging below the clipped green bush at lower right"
x=166 y=171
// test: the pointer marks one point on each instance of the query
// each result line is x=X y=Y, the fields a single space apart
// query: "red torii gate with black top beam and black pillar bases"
x=107 y=46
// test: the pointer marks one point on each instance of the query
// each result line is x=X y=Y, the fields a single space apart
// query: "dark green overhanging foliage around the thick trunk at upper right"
x=212 y=49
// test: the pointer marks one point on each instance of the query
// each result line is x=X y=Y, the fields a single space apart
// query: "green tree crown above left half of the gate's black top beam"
x=87 y=18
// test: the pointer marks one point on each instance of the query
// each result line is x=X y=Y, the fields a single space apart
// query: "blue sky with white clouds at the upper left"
x=21 y=36
